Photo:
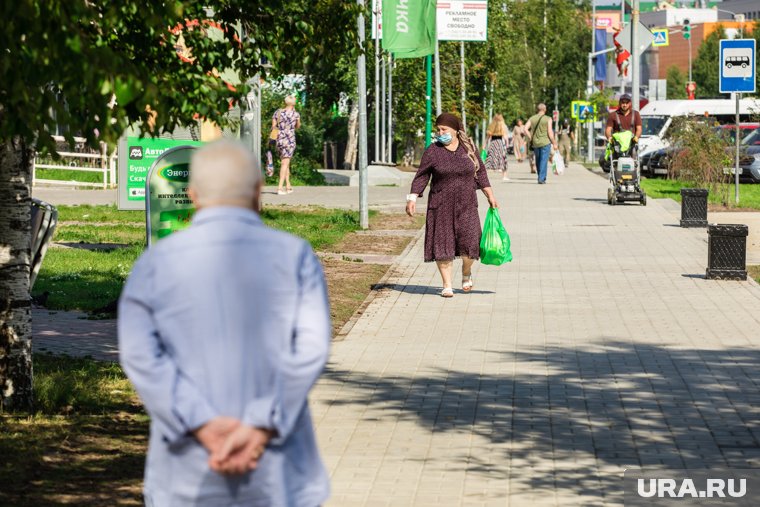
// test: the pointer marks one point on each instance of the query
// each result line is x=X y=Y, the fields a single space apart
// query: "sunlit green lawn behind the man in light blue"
x=91 y=280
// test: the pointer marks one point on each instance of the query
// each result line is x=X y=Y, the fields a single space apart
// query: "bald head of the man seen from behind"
x=224 y=173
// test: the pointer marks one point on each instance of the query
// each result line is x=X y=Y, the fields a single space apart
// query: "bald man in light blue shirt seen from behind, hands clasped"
x=223 y=350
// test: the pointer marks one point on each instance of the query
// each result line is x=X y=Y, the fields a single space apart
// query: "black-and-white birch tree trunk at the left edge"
x=15 y=259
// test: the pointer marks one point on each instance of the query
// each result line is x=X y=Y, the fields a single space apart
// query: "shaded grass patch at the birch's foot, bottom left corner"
x=84 y=443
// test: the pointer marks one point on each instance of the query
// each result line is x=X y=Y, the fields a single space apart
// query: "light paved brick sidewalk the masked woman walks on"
x=600 y=347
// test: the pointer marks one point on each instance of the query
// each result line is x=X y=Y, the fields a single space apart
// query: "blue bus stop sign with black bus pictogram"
x=738 y=65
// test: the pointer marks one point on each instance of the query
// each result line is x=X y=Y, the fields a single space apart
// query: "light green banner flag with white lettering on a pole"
x=409 y=27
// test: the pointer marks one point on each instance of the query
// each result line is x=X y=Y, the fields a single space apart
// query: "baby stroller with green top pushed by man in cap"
x=625 y=177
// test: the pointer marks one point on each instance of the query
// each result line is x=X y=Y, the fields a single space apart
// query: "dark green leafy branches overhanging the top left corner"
x=63 y=60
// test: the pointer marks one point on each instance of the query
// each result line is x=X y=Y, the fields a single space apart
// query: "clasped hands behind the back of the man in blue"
x=234 y=448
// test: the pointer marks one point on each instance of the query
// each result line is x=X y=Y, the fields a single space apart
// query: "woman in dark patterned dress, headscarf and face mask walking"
x=452 y=224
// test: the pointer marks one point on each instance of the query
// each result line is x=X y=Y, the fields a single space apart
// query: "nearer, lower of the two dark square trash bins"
x=727 y=251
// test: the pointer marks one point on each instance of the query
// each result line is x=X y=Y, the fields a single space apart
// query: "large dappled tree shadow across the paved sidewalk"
x=591 y=411
